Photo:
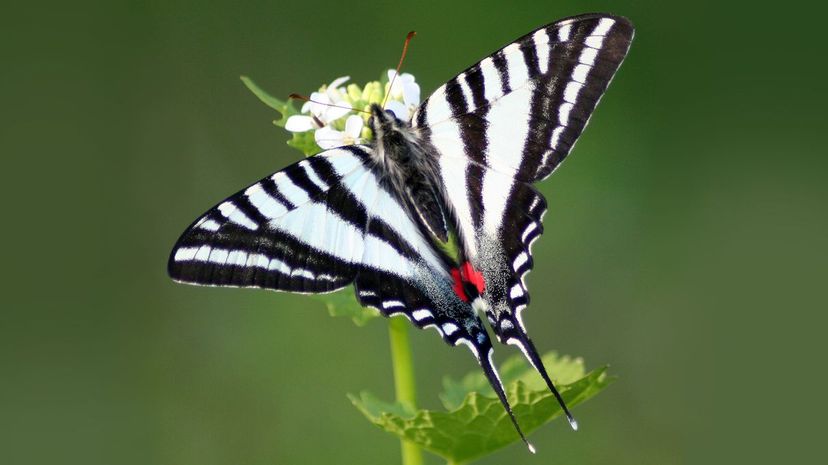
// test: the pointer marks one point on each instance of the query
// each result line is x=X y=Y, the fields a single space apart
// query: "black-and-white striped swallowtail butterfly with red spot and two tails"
x=375 y=216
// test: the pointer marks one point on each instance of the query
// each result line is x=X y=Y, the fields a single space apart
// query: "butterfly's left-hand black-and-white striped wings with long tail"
x=320 y=225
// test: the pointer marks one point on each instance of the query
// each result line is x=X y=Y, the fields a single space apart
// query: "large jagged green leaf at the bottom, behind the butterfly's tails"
x=474 y=423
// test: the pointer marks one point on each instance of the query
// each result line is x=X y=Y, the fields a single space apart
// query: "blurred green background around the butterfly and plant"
x=685 y=242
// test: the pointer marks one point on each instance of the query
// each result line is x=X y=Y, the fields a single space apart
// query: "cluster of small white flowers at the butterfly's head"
x=338 y=114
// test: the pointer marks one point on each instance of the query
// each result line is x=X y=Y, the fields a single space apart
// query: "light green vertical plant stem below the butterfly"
x=404 y=384
